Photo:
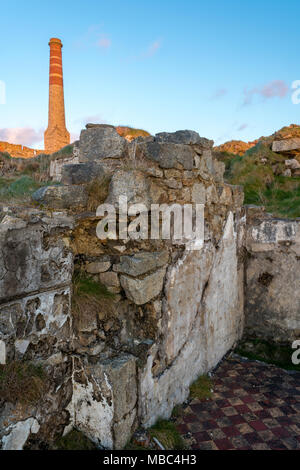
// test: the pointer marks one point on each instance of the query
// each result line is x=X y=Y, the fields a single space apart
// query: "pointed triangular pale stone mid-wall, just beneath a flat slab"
x=141 y=291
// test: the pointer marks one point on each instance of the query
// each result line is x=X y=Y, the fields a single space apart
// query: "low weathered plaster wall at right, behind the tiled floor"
x=272 y=277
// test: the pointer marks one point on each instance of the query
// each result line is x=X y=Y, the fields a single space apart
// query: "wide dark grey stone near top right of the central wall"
x=167 y=155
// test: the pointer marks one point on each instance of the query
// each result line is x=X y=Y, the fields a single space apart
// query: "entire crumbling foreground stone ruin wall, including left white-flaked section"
x=175 y=313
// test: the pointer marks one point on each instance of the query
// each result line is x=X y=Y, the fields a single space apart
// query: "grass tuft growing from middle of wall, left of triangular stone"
x=89 y=294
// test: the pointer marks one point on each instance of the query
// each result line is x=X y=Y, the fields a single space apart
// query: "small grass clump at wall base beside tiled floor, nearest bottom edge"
x=167 y=434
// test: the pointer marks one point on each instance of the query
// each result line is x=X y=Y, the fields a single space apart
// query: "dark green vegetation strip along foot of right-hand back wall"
x=267 y=351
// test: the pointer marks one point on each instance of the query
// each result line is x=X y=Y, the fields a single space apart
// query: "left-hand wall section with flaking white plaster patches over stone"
x=35 y=323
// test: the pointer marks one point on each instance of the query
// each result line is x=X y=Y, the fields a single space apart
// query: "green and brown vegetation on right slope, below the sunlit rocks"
x=259 y=171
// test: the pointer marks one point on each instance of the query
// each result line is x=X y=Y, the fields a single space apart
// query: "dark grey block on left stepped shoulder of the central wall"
x=81 y=173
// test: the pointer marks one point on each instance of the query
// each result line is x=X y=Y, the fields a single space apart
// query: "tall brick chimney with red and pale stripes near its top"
x=56 y=136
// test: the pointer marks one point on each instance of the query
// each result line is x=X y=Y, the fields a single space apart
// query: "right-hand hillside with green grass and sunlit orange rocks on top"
x=269 y=178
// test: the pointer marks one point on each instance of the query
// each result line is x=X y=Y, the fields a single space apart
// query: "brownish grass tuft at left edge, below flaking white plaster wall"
x=22 y=382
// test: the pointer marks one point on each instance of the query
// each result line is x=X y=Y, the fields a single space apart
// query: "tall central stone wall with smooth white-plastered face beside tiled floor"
x=176 y=312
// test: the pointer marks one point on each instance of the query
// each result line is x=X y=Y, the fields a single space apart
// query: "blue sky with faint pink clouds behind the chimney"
x=222 y=68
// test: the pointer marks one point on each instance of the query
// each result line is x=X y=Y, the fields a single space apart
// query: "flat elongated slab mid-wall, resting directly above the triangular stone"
x=142 y=263
